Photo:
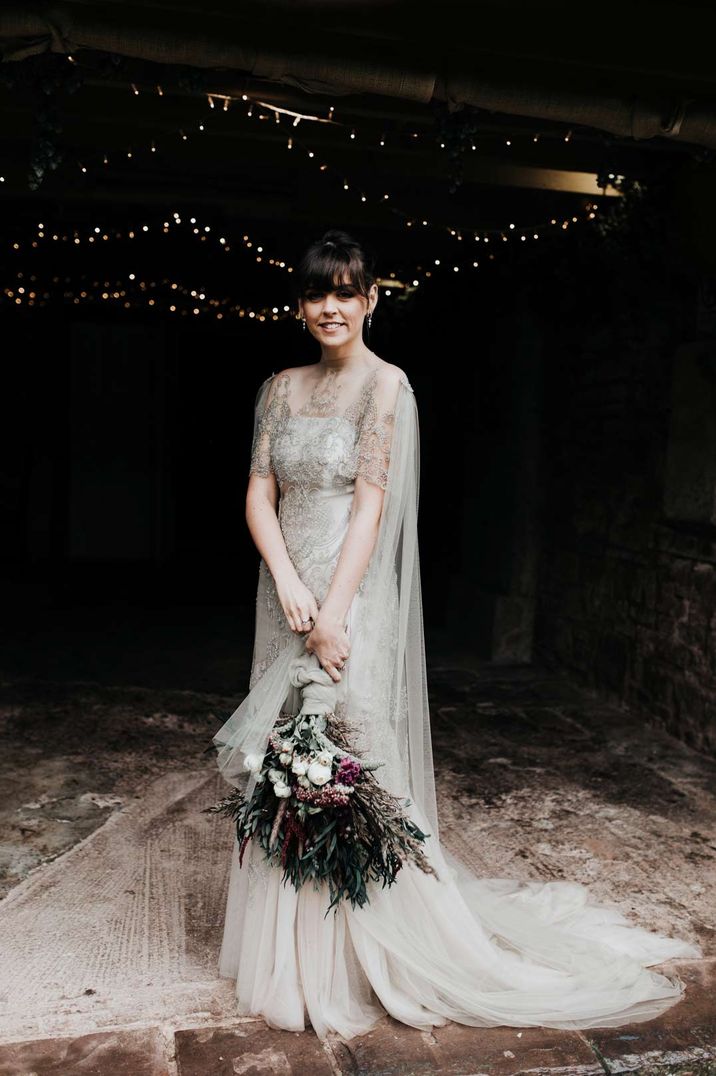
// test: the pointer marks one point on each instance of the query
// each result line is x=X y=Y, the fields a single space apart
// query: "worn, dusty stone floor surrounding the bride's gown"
x=116 y=882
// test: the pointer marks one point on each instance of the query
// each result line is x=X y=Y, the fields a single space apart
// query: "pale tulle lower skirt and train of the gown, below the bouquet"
x=479 y=952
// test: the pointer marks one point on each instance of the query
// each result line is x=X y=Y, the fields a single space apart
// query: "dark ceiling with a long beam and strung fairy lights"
x=470 y=115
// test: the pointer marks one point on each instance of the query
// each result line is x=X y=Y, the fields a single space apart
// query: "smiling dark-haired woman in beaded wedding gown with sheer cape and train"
x=332 y=506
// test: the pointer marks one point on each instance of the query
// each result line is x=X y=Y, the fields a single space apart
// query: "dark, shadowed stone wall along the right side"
x=627 y=581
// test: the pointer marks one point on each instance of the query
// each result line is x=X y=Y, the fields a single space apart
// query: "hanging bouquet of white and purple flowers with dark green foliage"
x=318 y=811
